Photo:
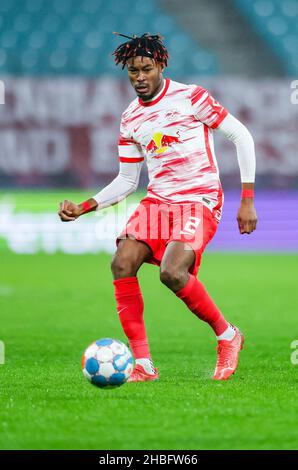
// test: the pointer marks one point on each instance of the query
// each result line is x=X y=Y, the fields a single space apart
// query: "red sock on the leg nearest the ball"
x=130 y=307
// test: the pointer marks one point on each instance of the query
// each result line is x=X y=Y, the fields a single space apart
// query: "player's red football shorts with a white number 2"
x=156 y=224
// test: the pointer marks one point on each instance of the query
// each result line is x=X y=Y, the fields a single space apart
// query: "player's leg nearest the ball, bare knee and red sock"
x=130 y=255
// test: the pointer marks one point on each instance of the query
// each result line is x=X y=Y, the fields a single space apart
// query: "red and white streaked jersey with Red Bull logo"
x=174 y=134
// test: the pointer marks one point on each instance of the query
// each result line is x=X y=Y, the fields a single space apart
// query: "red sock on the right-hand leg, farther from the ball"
x=195 y=296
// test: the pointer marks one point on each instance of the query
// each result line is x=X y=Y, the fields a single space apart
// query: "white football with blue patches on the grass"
x=107 y=363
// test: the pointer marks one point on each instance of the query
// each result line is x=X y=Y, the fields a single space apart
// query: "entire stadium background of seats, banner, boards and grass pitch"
x=58 y=132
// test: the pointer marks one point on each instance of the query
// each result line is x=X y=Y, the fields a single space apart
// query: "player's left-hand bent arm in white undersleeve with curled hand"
x=124 y=184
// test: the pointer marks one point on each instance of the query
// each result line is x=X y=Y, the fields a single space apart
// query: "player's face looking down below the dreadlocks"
x=145 y=76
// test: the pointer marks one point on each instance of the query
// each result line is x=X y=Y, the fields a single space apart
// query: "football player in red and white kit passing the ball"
x=171 y=124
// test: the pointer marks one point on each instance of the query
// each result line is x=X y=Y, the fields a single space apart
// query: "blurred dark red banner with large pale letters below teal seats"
x=63 y=132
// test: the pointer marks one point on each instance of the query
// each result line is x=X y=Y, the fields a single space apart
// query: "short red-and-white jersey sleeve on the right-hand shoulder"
x=205 y=108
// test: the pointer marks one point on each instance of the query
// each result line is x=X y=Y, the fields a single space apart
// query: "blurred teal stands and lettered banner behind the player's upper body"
x=64 y=95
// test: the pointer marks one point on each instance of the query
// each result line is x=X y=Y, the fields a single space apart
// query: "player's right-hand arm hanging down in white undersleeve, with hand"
x=235 y=131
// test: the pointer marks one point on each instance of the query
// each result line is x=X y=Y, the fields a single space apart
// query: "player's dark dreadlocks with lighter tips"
x=147 y=45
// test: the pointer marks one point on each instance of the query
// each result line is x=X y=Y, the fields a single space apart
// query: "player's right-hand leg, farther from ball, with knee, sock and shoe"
x=174 y=273
